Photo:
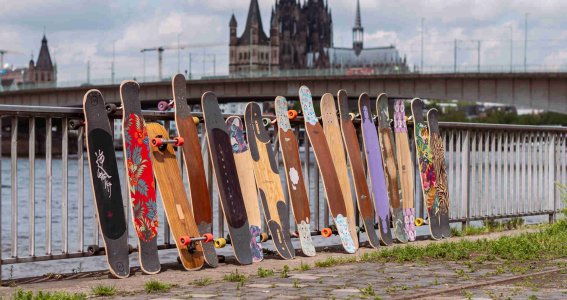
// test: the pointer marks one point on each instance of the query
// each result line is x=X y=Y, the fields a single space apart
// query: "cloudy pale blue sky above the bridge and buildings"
x=87 y=32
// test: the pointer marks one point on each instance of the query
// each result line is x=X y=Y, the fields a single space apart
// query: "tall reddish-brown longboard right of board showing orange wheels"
x=194 y=167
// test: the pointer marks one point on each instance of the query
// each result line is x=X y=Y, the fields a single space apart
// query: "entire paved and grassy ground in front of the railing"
x=519 y=263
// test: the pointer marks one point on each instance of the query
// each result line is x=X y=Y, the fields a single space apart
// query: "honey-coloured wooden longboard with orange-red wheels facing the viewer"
x=175 y=202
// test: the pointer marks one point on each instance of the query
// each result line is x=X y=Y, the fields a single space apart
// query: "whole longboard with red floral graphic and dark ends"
x=141 y=185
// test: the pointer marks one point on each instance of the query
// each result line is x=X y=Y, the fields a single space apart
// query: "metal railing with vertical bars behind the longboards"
x=47 y=210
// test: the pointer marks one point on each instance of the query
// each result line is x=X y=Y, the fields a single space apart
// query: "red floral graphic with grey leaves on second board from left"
x=141 y=178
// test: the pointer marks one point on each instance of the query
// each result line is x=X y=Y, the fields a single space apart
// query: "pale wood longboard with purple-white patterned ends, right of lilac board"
x=405 y=167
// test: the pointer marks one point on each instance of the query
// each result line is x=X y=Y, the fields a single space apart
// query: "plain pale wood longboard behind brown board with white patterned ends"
x=334 y=139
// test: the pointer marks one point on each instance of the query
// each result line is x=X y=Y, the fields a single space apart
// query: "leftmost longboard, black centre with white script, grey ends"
x=106 y=184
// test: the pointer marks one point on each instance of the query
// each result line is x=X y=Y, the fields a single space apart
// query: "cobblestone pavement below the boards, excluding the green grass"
x=321 y=277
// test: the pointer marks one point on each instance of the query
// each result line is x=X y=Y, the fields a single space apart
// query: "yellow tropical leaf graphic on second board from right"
x=426 y=168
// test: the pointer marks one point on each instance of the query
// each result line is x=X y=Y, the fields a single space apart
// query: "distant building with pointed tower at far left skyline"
x=41 y=71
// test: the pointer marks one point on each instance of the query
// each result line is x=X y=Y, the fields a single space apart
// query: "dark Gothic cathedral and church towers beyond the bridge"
x=301 y=37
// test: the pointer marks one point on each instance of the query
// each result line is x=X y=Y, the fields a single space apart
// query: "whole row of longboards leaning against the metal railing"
x=246 y=174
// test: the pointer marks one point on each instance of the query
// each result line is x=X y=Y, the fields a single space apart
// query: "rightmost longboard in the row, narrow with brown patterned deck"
x=441 y=184
